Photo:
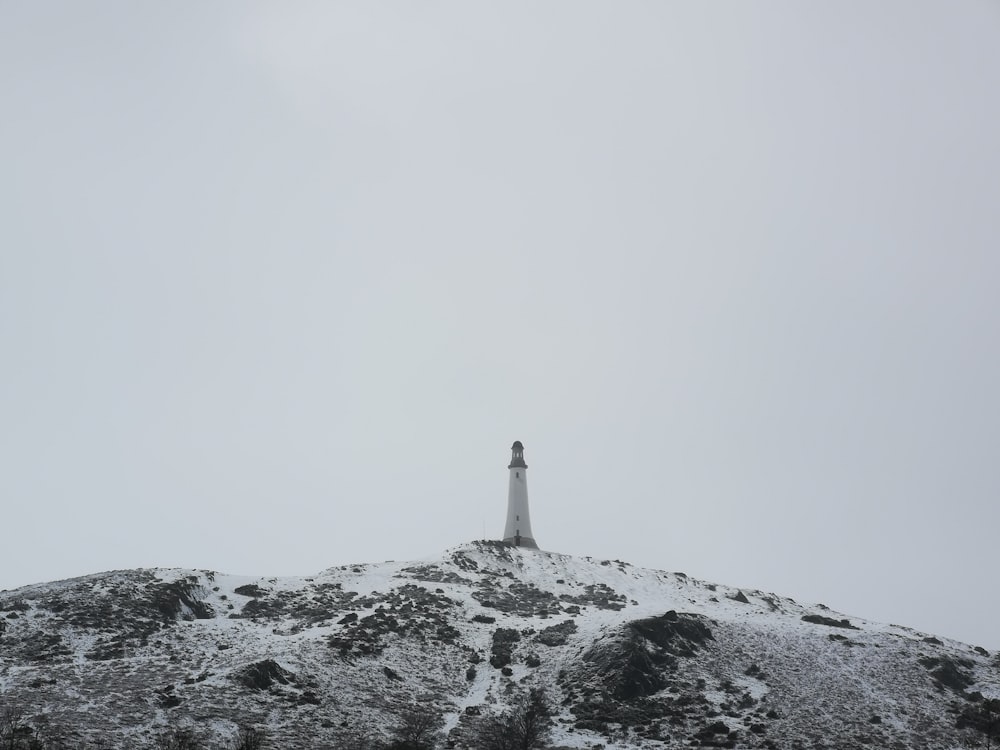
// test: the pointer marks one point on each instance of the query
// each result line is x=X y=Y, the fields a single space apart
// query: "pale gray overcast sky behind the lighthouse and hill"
x=281 y=283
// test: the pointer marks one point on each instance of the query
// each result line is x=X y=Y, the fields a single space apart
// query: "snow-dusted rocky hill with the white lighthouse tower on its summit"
x=629 y=657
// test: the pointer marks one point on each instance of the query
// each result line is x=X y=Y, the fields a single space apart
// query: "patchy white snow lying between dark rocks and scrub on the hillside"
x=813 y=675
